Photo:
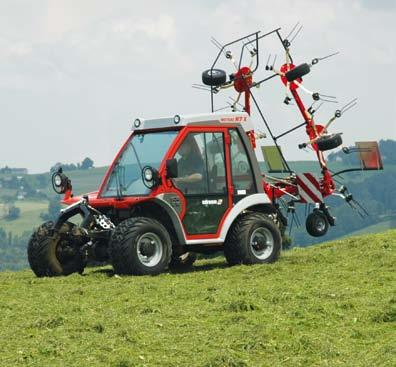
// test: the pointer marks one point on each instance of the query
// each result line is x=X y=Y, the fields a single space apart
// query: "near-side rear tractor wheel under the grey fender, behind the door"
x=240 y=246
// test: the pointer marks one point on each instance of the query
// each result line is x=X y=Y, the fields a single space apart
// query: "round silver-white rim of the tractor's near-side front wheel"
x=149 y=241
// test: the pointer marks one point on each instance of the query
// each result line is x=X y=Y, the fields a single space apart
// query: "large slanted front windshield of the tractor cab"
x=142 y=150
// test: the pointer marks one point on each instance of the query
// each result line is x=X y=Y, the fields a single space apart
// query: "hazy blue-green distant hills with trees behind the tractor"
x=375 y=190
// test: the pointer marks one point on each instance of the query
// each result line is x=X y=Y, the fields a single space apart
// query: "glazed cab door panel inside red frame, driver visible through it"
x=202 y=180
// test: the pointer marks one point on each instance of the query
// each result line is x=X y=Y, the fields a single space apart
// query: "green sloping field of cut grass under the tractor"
x=329 y=305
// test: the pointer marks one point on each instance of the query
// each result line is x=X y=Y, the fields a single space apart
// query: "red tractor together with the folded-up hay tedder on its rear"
x=189 y=184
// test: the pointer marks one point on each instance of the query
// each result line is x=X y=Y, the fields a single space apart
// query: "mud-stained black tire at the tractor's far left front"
x=45 y=257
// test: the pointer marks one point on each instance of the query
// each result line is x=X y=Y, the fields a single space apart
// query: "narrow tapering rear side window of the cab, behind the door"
x=242 y=174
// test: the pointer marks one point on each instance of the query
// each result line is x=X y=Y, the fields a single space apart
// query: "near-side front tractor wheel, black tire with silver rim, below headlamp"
x=140 y=246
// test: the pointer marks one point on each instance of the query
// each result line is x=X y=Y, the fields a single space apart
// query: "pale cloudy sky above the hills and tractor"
x=74 y=74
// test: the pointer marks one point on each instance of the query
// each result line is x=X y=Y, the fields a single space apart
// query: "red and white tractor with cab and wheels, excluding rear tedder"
x=179 y=185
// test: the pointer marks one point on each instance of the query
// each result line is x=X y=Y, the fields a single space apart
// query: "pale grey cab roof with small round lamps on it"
x=183 y=120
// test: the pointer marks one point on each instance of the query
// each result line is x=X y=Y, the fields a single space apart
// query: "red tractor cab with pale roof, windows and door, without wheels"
x=199 y=166
